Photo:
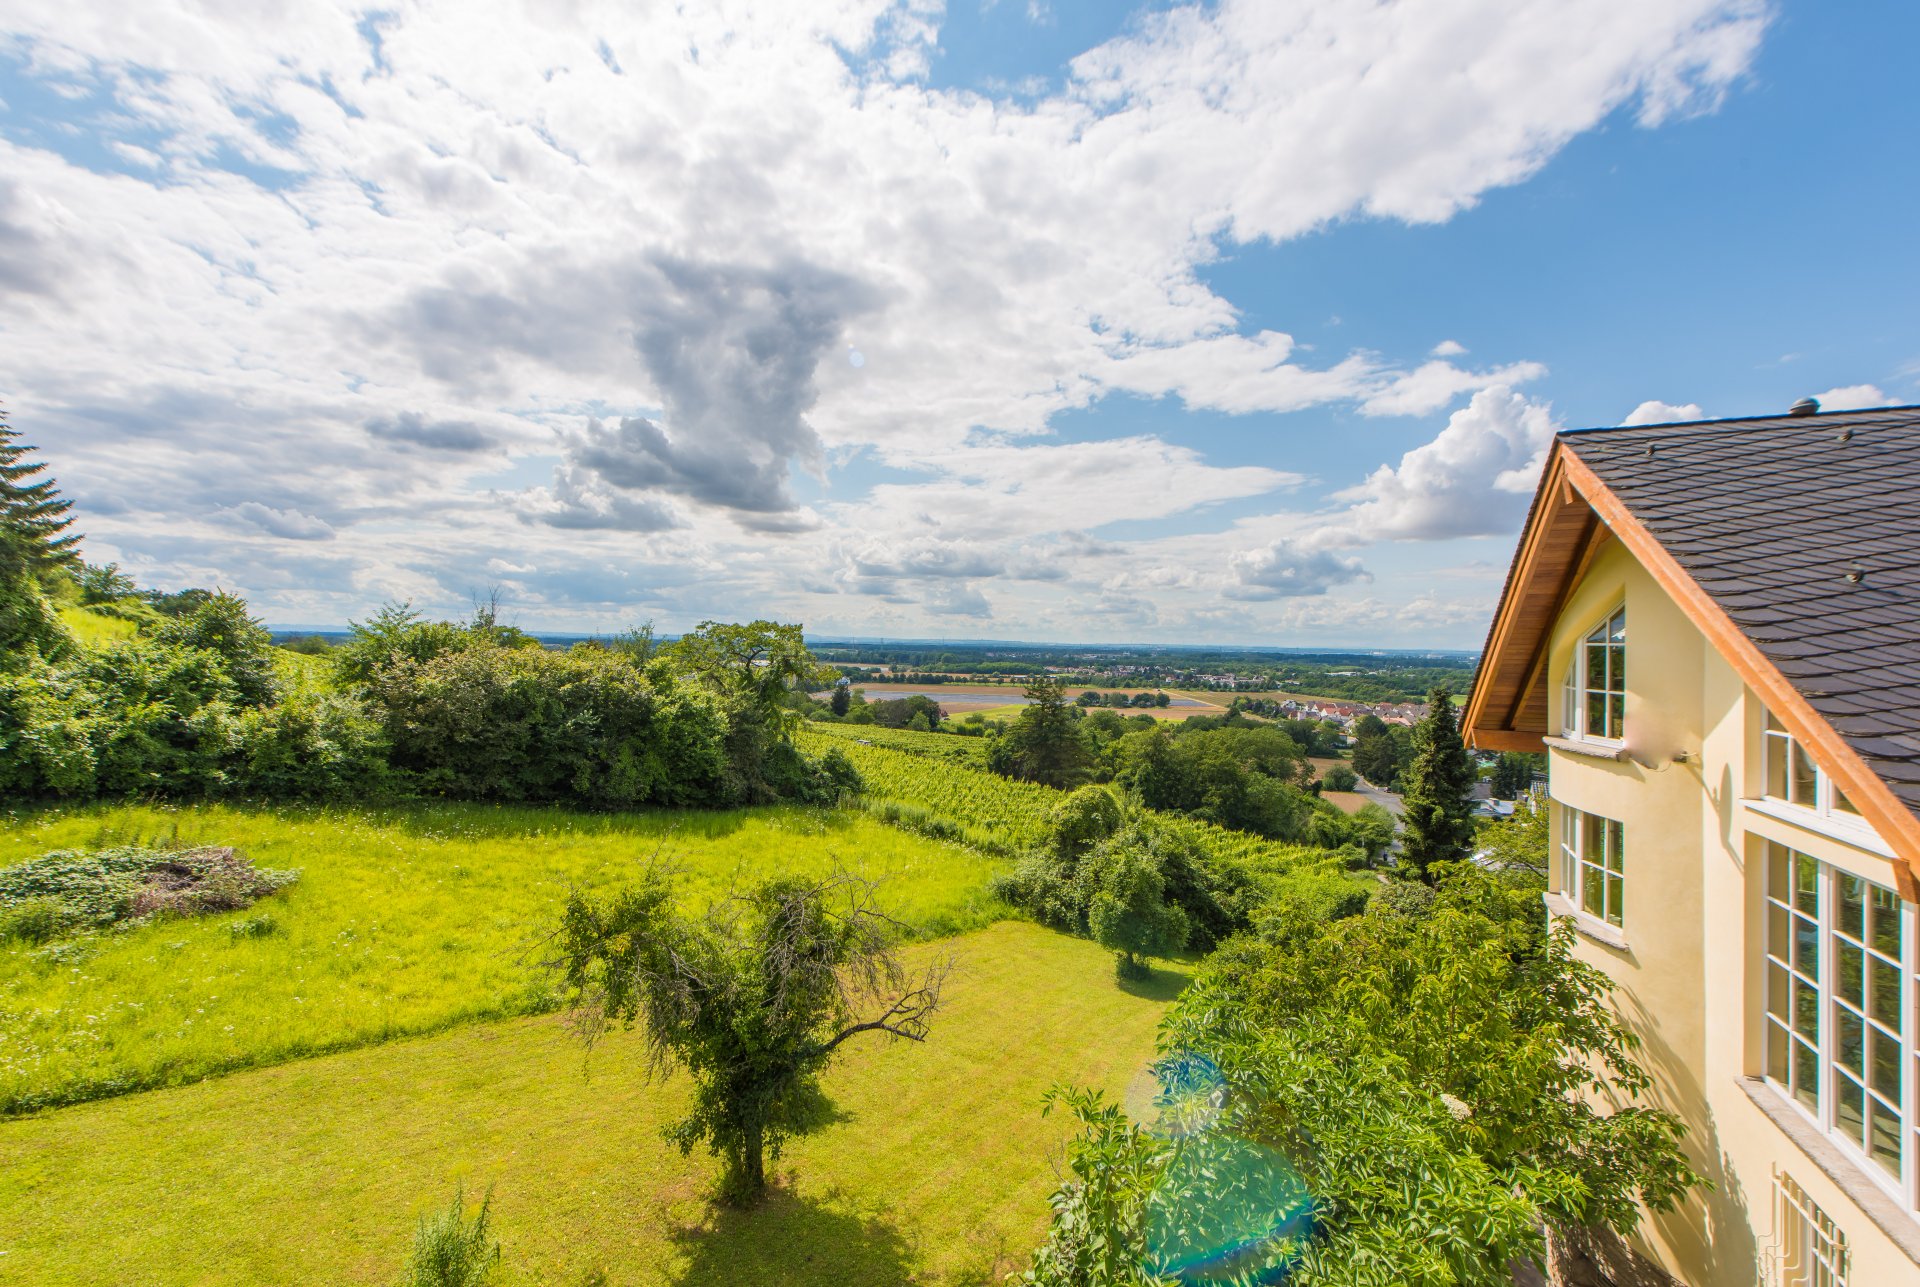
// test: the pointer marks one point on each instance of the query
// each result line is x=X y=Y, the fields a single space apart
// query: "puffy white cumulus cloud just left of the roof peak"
x=1474 y=479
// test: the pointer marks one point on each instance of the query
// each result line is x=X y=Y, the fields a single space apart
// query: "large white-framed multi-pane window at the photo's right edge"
x=1840 y=1002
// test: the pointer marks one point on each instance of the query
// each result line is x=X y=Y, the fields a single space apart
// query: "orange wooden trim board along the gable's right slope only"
x=1863 y=787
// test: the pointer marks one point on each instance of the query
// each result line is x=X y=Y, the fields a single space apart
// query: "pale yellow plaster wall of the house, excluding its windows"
x=1689 y=977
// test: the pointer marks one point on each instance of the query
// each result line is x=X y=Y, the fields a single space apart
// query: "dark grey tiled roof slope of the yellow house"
x=1771 y=518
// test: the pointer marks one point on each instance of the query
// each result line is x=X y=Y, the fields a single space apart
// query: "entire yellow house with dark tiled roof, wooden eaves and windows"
x=1714 y=631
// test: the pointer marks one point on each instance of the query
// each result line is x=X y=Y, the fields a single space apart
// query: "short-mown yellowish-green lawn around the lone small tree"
x=936 y=1169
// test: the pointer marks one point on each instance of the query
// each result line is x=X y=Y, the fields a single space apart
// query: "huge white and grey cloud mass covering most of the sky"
x=500 y=226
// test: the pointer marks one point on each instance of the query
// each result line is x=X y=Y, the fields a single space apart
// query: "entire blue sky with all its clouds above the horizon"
x=1230 y=324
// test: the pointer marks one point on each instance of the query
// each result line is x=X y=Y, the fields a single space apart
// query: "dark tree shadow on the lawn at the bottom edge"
x=794 y=1242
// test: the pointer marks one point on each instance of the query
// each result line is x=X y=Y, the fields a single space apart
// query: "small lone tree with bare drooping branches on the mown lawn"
x=752 y=1000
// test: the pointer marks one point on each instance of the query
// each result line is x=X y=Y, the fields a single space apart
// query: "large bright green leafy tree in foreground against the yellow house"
x=1445 y=1077
